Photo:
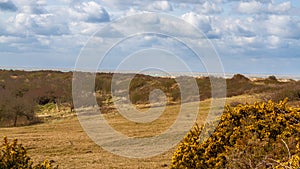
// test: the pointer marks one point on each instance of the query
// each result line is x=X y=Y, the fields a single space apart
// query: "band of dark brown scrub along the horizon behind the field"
x=22 y=92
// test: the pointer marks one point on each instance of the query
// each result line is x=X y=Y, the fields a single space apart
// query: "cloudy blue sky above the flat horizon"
x=258 y=36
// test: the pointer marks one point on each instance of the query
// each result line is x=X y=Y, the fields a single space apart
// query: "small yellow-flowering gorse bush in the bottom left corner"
x=14 y=156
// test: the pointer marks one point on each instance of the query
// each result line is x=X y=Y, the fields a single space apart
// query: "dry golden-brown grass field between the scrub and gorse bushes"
x=64 y=141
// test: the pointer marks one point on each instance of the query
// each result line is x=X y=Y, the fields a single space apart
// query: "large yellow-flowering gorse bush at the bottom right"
x=259 y=135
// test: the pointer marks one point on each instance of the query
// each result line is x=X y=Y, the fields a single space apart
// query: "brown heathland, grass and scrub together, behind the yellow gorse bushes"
x=43 y=98
